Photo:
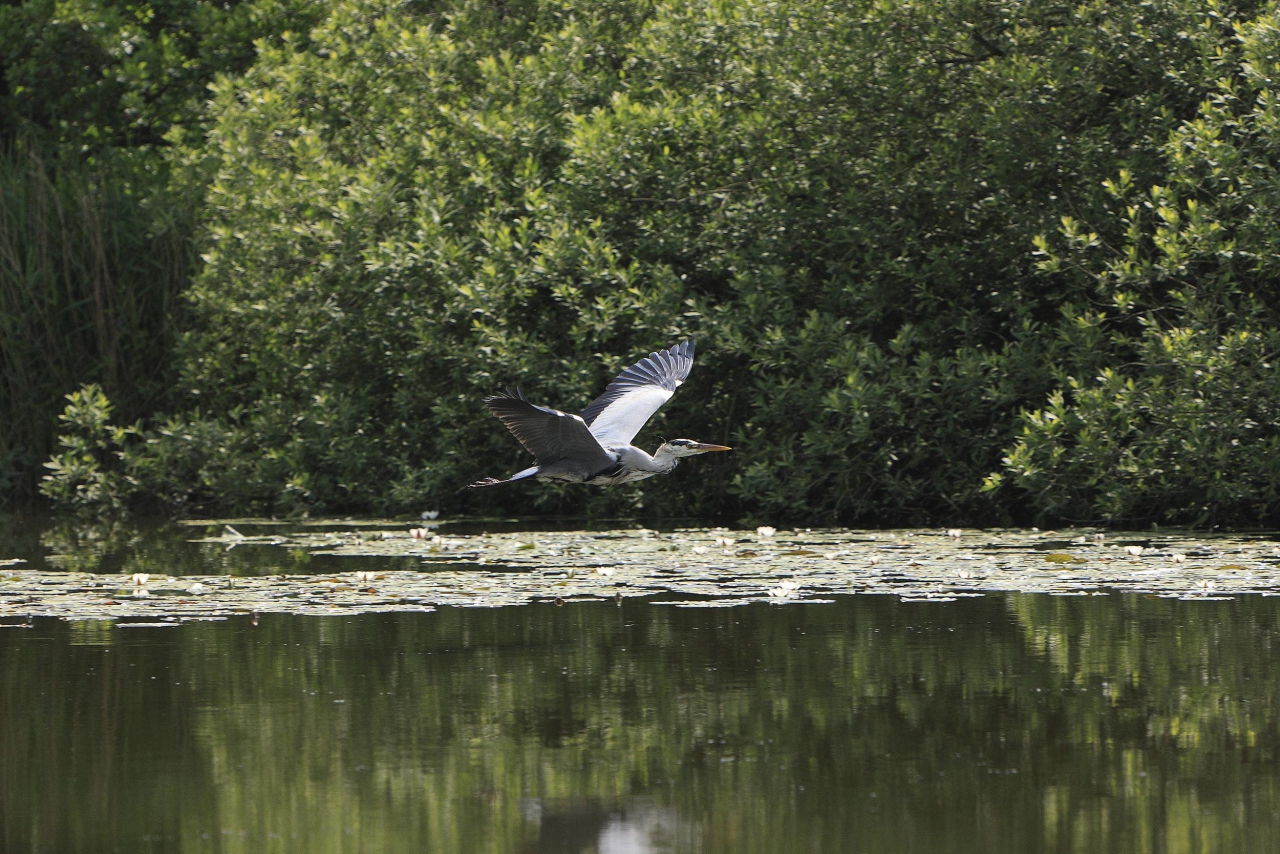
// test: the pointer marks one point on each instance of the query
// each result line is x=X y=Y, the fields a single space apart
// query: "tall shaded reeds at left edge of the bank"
x=93 y=261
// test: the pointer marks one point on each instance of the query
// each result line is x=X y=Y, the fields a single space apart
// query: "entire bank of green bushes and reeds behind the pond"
x=982 y=263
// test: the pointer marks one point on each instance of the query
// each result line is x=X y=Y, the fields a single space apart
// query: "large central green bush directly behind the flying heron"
x=842 y=204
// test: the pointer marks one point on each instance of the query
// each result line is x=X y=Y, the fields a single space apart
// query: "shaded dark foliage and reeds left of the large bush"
x=95 y=226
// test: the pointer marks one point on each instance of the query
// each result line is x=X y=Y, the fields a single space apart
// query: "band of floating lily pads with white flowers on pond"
x=694 y=568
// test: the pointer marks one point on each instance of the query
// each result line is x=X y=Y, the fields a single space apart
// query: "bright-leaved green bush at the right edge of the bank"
x=1177 y=417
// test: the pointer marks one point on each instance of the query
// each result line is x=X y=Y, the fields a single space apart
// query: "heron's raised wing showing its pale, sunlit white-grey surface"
x=637 y=394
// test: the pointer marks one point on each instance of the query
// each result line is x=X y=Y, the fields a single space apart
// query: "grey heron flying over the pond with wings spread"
x=596 y=447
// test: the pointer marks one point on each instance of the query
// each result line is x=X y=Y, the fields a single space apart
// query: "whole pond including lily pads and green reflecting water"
x=917 y=704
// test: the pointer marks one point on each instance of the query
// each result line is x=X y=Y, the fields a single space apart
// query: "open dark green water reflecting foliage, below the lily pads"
x=1007 y=723
